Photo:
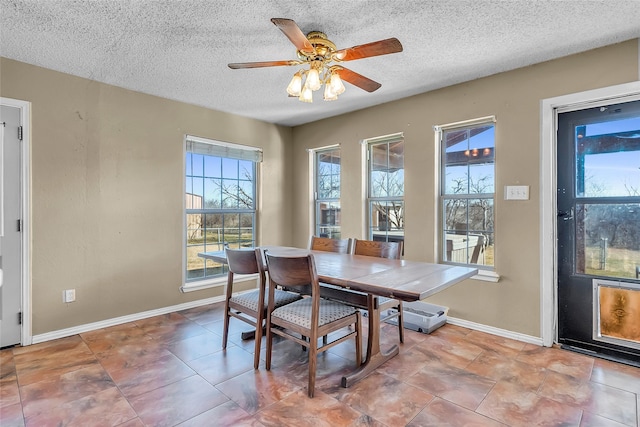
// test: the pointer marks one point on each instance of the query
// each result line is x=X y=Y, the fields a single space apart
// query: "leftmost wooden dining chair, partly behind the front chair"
x=250 y=307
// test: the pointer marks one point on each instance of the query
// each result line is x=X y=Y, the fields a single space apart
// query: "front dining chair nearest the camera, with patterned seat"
x=306 y=320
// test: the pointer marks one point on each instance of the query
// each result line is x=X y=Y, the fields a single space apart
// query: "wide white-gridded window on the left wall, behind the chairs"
x=220 y=205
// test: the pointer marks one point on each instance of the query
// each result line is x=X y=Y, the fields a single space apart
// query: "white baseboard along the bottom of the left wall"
x=62 y=333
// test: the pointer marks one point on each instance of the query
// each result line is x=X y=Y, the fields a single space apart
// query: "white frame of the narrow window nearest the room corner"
x=318 y=200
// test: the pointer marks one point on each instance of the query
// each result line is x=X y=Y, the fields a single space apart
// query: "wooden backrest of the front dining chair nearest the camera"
x=292 y=271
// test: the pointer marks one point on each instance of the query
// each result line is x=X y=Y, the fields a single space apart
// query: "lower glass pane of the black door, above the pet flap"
x=608 y=239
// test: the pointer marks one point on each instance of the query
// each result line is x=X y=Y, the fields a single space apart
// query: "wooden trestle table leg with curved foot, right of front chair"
x=375 y=357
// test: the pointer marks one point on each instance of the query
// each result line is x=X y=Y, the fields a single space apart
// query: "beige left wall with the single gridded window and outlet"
x=108 y=193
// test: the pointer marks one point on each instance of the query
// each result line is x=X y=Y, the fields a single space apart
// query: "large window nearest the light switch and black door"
x=467 y=192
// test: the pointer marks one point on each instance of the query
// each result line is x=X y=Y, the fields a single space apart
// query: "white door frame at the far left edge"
x=25 y=119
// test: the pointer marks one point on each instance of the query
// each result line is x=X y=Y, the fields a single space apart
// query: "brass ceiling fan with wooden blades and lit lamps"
x=320 y=53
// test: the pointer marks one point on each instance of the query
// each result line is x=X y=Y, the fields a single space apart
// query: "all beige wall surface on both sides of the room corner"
x=107 y=184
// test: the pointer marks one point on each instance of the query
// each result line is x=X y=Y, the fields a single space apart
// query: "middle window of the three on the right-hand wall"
x=385 y=198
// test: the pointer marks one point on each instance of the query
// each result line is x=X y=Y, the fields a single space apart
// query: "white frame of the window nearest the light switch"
x=485 y=272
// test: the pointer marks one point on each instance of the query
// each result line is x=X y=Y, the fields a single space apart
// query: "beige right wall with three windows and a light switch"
x=514 y=98
